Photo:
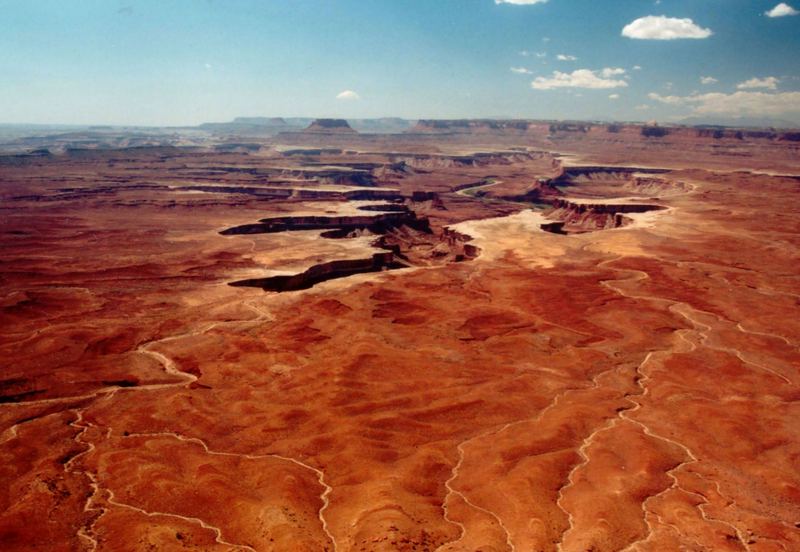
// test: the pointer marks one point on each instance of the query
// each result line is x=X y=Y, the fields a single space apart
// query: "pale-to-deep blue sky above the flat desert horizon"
x=176 y=62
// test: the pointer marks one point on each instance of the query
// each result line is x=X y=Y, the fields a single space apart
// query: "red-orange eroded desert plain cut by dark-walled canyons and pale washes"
x=467 y=336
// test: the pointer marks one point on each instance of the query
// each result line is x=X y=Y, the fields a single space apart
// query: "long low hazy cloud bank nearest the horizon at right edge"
x=738 y=103
